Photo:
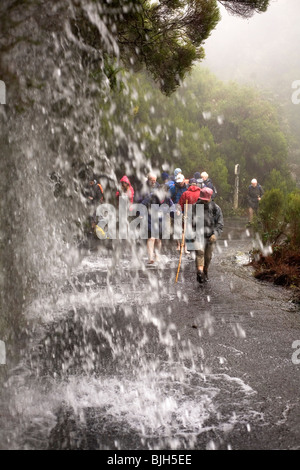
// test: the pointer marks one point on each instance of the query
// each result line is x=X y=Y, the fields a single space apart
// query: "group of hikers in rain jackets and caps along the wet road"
x=171 y=195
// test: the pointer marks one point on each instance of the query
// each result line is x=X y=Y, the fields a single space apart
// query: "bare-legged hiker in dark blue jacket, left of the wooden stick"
x=155 y=232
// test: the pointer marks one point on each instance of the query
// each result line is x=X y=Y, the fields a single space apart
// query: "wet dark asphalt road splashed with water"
x=123 y=358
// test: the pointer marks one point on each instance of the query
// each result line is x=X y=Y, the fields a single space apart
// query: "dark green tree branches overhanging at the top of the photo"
x=165 y=36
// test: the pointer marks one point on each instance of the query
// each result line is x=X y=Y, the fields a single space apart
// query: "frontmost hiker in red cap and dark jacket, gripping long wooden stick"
x=213 y=226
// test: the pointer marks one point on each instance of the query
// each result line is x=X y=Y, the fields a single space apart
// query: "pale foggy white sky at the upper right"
x=263 y=50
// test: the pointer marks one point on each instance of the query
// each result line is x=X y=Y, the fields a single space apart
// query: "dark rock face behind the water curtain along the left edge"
x=50 y=140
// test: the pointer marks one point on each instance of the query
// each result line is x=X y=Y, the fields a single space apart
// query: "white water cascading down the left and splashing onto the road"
x=91 y=348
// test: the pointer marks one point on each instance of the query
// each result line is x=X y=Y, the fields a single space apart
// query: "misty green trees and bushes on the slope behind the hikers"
x=205 y=125
